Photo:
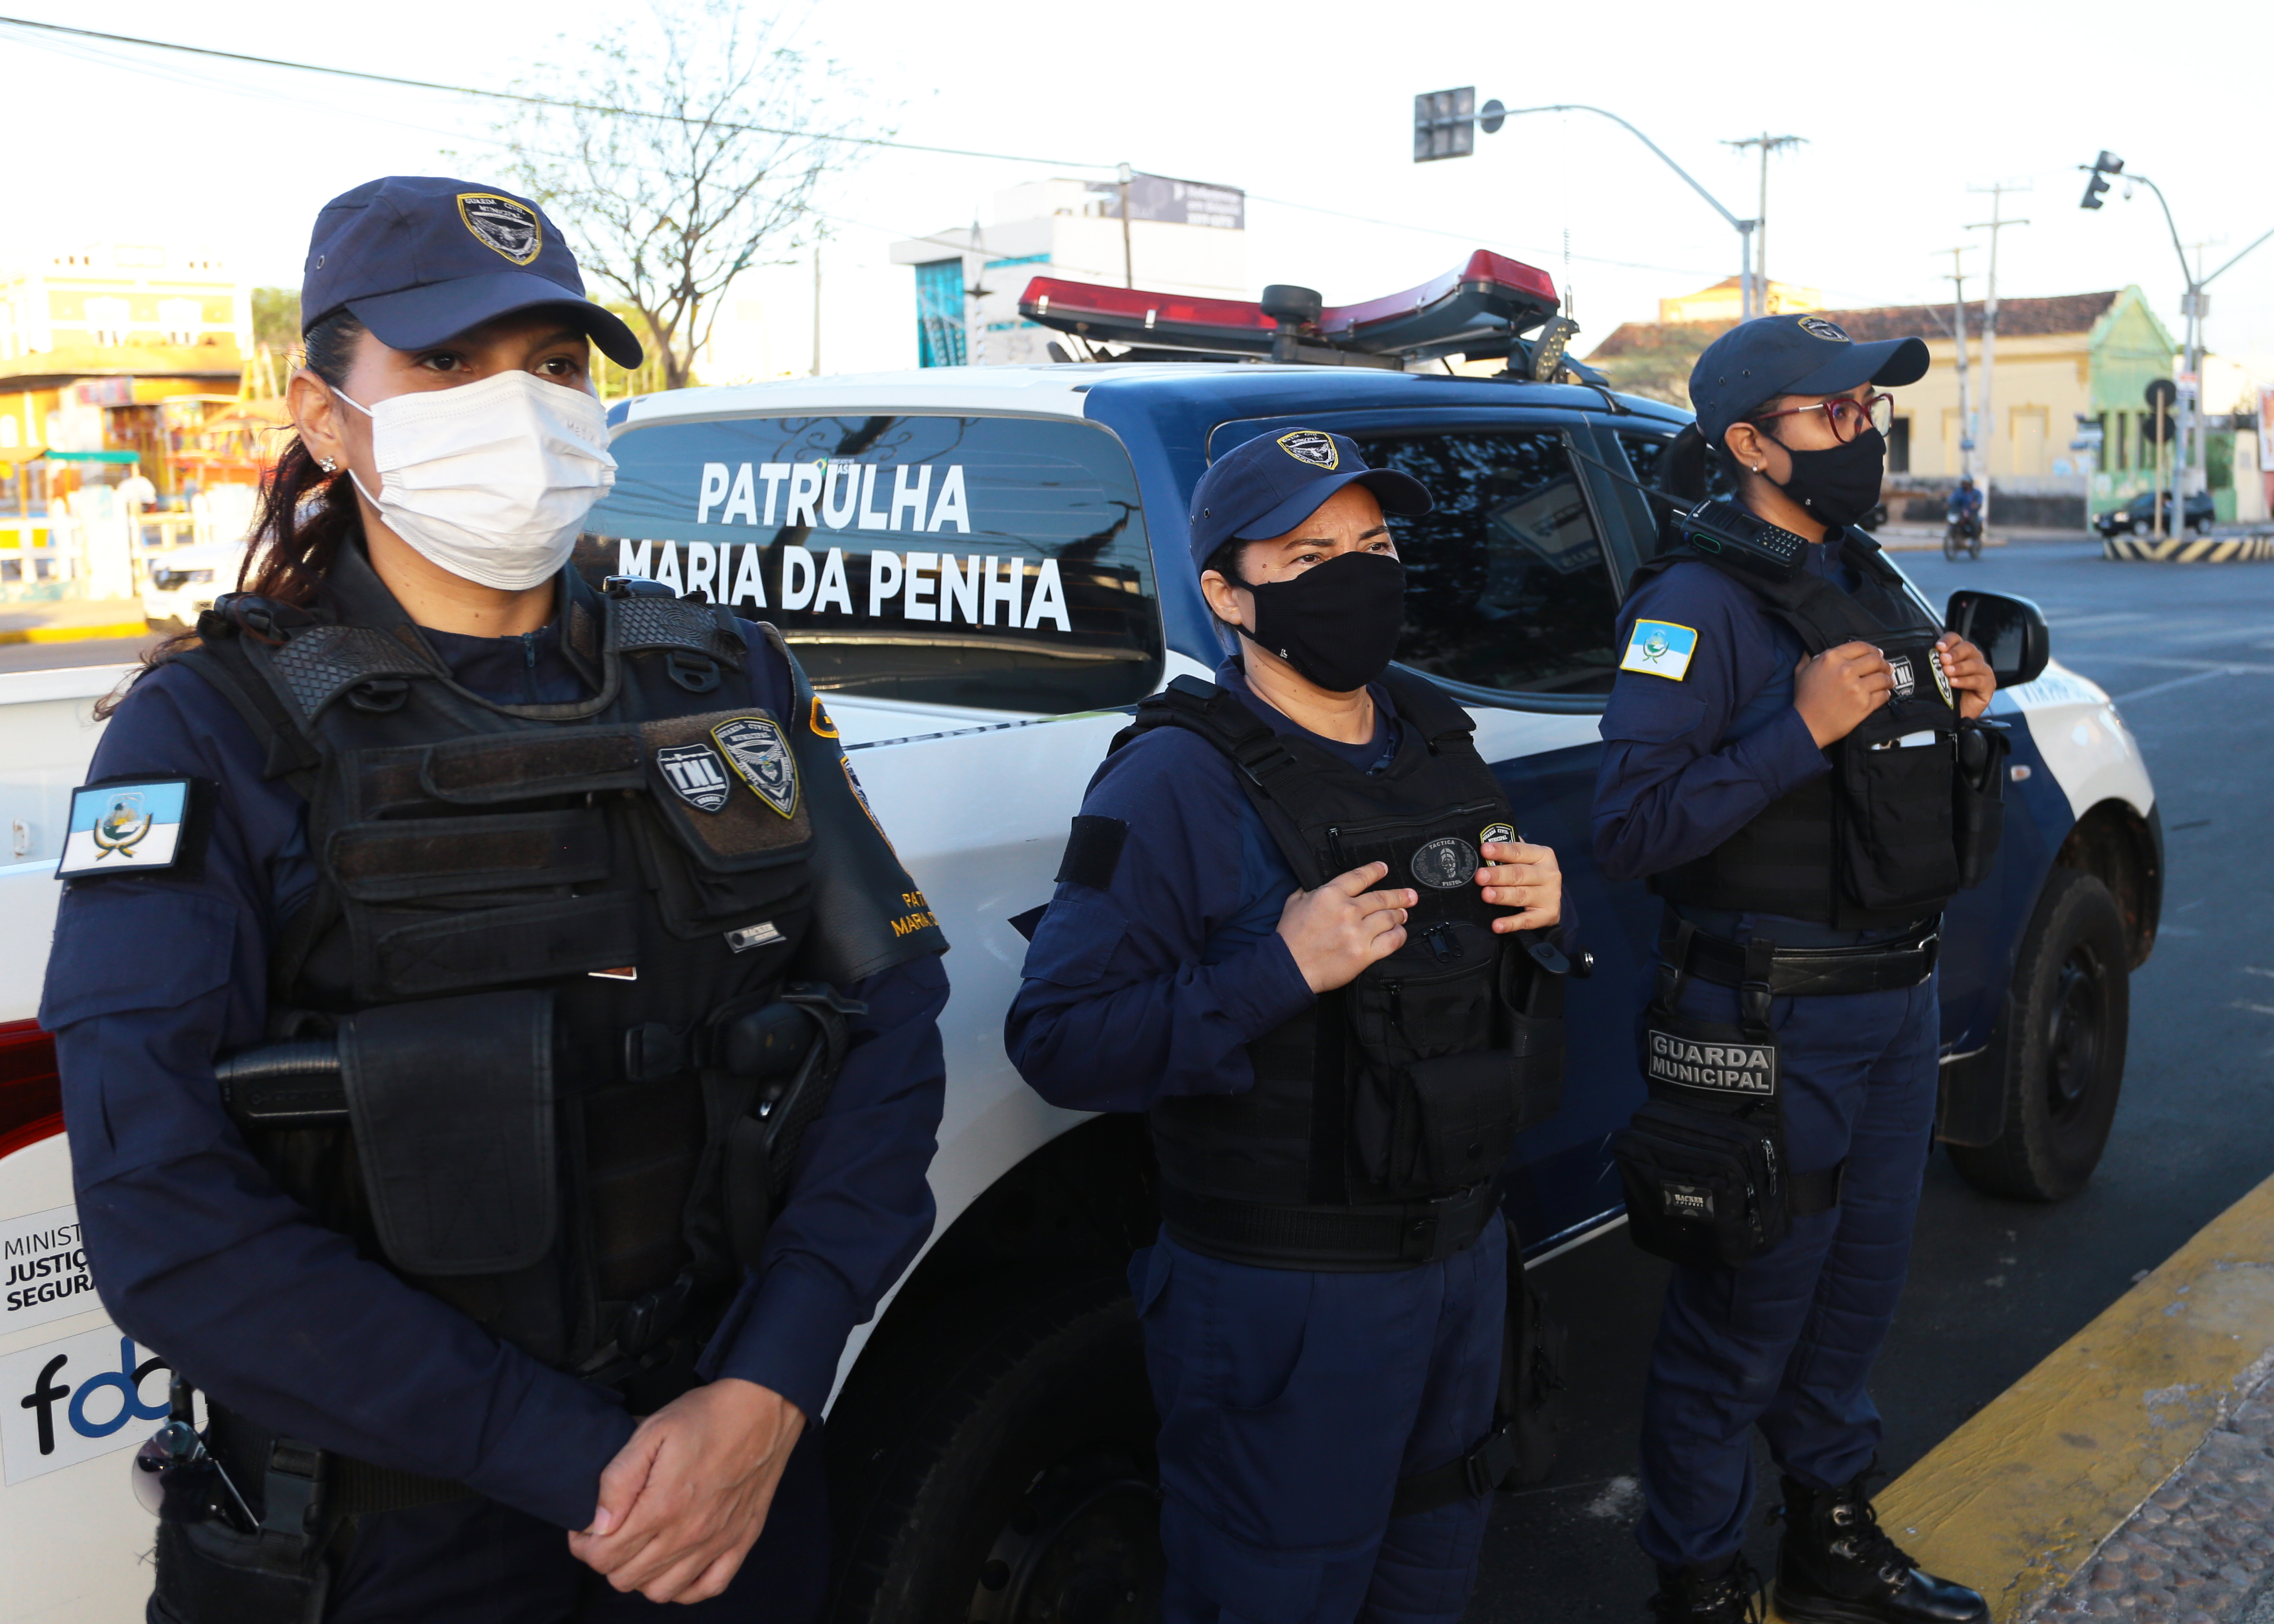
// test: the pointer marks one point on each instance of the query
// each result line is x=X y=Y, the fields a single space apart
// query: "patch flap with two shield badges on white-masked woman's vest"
x=761 y=818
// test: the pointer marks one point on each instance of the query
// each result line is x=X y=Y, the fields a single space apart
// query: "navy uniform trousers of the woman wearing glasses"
x=1789 y=1341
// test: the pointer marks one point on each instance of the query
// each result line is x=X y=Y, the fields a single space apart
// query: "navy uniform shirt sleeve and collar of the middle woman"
x=1159 y=984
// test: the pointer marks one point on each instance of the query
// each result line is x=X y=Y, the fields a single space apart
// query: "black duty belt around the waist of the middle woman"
x=1329 y=1238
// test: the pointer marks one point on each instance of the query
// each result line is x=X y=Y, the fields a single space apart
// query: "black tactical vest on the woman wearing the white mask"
x=551 y=945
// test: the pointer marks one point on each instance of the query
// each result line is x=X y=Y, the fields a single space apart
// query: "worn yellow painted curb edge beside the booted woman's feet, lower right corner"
x=2020 y=1498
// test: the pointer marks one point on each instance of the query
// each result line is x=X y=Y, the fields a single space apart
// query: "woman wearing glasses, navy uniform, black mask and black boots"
x=1729 y=740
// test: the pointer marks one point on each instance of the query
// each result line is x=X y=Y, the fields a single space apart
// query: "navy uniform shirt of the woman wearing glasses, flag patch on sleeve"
x=1693 y=754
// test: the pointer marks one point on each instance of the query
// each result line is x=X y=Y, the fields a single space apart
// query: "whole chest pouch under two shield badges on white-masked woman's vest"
x=733 y=822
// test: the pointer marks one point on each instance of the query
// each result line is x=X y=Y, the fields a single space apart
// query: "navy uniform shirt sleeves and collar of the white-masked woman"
x=201 y=1257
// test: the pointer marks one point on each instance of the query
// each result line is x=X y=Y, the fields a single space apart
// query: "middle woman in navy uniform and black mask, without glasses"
x=1325 y=1329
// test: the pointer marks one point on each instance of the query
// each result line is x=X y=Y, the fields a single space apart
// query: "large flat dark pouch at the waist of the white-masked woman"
x=451 y=1104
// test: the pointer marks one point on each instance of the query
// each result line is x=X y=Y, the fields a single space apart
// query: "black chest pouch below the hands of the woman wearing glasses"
x=1895 y=772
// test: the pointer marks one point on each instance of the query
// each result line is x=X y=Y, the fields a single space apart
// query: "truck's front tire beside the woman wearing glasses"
x=2061 y=1047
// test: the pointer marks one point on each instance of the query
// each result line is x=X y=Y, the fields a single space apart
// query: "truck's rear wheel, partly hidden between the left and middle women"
x=1020 y=1484
